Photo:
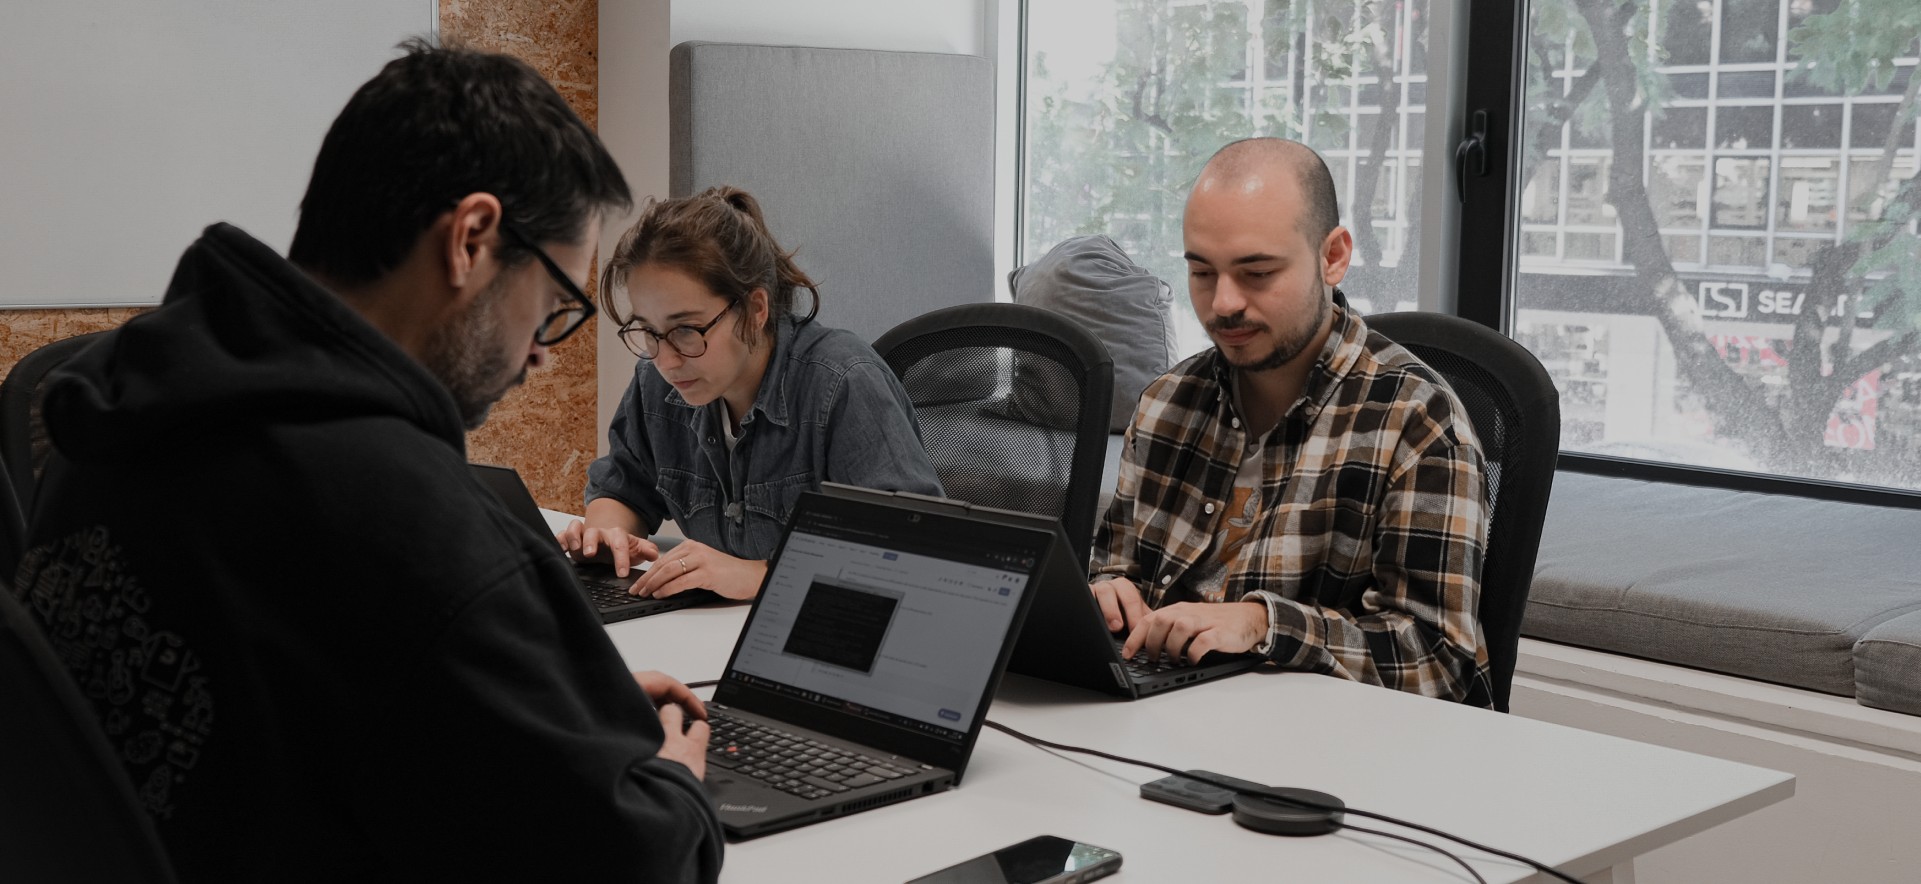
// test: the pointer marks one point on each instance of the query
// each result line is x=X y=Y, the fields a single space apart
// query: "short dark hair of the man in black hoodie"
x=431 y=128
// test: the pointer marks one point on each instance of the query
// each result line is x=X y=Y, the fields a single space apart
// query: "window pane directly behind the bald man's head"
x=1127 y=101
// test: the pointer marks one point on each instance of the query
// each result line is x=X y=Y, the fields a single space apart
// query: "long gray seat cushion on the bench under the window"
x=1755 y=585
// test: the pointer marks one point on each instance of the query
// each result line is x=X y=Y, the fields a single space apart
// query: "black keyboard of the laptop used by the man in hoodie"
x=790 y=762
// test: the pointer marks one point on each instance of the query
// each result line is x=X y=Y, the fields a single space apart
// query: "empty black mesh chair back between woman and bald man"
x=1013 y=408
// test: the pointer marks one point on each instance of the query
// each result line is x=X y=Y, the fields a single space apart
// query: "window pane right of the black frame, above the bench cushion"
x=1776 y=195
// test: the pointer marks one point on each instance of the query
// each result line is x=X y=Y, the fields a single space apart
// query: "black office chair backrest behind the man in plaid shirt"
x=1517 y=412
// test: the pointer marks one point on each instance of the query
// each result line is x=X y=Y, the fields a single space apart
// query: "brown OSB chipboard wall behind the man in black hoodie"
x=547 y=428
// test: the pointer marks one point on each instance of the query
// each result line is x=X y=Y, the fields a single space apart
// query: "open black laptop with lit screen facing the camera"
x=867 y=662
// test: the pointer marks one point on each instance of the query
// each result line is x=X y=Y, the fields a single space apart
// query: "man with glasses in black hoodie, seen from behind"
x=320 y=647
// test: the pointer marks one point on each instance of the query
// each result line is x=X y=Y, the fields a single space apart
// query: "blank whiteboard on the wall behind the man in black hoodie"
x=130 y=126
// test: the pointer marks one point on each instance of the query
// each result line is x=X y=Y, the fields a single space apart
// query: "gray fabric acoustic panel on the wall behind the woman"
x=875 y=166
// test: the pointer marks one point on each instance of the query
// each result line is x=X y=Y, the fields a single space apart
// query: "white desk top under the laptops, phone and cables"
x=1584 y=802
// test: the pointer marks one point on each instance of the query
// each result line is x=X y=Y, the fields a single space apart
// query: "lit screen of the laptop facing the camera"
x=894 y=635
